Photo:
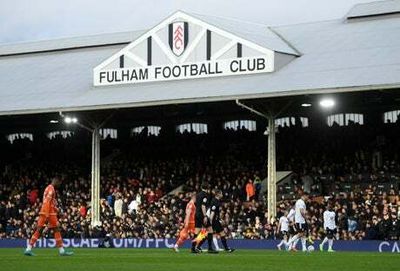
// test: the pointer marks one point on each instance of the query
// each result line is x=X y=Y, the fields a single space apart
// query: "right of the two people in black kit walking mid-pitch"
x=215 y=219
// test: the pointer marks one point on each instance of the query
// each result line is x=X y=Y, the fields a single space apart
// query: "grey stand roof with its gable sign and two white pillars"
x=189 y=58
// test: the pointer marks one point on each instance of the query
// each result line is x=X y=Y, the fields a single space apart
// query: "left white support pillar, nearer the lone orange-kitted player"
x=95 y=188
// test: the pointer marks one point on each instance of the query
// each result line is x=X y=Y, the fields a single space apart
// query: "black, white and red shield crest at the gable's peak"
x=178 y=37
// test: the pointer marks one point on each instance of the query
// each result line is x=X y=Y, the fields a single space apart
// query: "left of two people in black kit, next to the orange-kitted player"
x=202 y=221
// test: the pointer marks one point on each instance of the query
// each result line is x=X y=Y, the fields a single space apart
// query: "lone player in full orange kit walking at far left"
x=48 y=217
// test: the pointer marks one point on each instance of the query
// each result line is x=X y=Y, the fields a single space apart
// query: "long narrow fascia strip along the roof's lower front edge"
x=205 y=99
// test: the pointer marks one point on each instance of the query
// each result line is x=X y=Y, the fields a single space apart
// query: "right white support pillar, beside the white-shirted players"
x=271 y=196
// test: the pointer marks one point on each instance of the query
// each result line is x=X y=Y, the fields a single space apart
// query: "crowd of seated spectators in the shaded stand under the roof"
x=135 y=191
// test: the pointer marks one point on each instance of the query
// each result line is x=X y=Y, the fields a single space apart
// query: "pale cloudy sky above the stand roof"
x=31 y=20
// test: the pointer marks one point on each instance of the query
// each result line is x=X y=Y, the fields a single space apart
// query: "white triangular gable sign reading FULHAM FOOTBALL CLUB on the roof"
x=183 y=47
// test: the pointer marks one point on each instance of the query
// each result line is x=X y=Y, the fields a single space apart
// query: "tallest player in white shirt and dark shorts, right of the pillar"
x=301 y=225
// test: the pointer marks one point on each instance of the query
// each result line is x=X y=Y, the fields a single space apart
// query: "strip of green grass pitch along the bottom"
x=163 y=259
